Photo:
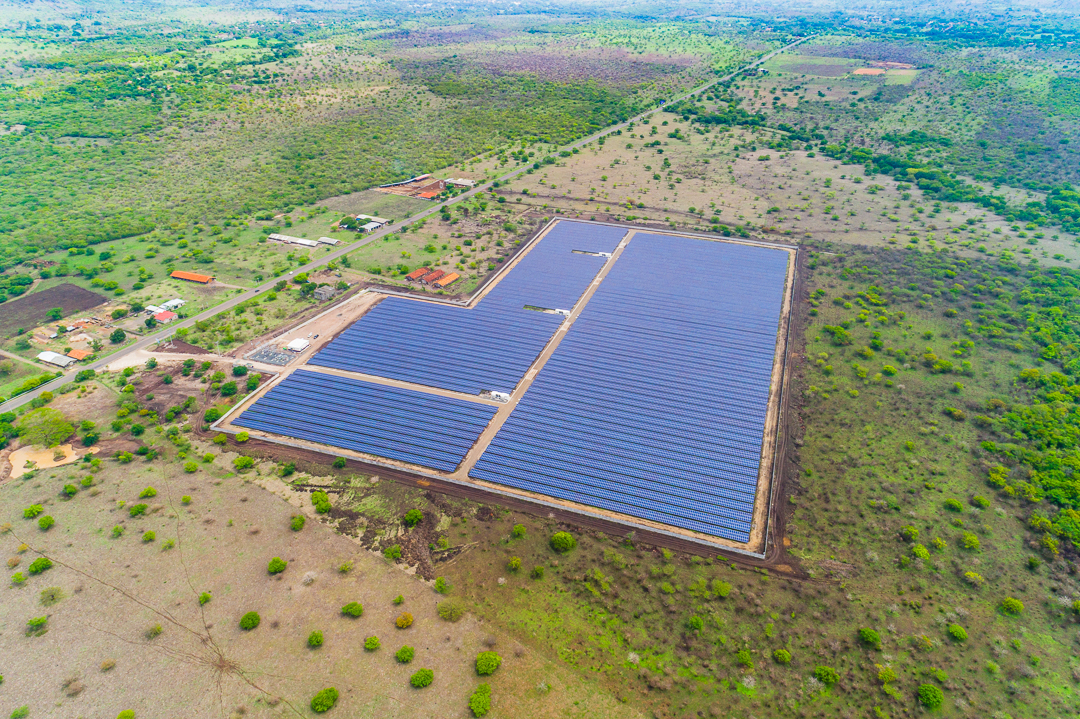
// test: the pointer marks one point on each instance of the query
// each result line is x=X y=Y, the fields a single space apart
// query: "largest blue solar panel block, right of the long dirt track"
x=654 y=405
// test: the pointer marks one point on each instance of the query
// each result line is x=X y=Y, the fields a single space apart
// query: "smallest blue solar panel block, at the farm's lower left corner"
x=375 y=419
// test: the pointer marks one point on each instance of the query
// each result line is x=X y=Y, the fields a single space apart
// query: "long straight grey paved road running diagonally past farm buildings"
x=244 y=297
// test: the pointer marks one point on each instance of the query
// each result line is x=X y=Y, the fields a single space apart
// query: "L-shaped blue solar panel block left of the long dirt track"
x=489 y=347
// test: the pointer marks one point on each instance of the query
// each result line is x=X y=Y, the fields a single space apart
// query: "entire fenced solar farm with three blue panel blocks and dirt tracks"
x=619 y=373
